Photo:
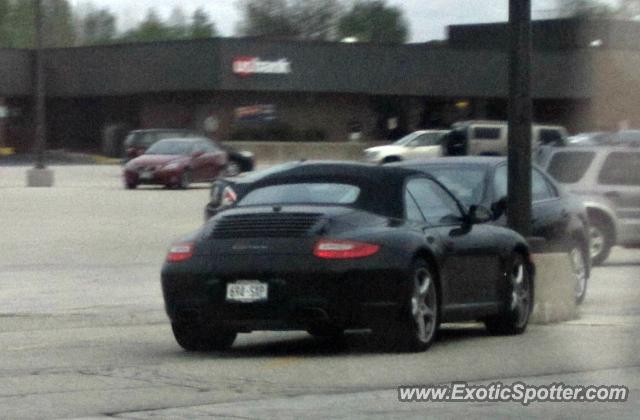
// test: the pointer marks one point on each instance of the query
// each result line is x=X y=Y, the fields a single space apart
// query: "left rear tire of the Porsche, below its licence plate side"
x=192 y=337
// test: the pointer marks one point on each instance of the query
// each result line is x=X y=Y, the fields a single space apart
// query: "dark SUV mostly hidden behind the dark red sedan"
x=138 y=141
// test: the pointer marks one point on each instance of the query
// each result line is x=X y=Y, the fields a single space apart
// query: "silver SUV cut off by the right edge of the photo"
x=607 y=179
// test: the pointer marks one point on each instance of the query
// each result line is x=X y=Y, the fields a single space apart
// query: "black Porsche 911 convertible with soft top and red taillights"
x=326 y=246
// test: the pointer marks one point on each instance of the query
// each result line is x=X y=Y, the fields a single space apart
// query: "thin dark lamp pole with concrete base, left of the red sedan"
x=39 y=176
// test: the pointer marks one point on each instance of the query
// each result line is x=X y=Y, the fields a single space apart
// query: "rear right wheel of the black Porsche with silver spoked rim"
x=417 y=326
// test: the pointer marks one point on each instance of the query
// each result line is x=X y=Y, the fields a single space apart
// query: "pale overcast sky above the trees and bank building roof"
x=428 y=18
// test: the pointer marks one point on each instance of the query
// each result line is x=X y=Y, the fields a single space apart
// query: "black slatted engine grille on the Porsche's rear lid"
x=271 y=225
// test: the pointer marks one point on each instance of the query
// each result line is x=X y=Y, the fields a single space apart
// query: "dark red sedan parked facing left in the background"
x=176 y=163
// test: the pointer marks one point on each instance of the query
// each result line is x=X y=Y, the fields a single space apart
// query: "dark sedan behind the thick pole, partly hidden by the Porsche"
x=557 y=217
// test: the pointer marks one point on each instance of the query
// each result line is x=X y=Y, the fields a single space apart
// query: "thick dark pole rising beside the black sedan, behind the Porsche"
x=520 y=111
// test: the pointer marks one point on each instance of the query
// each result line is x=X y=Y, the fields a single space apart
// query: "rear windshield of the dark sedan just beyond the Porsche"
x=466 y=183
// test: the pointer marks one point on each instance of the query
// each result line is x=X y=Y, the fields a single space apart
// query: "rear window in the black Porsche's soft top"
x=303 y=193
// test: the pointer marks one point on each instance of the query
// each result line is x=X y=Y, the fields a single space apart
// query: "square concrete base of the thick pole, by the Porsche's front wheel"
x=554 y=289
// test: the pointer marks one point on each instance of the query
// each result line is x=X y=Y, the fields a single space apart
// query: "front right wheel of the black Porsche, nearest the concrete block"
x=518 y=300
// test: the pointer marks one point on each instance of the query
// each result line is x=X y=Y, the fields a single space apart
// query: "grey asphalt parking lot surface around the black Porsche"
x=83 y=332
